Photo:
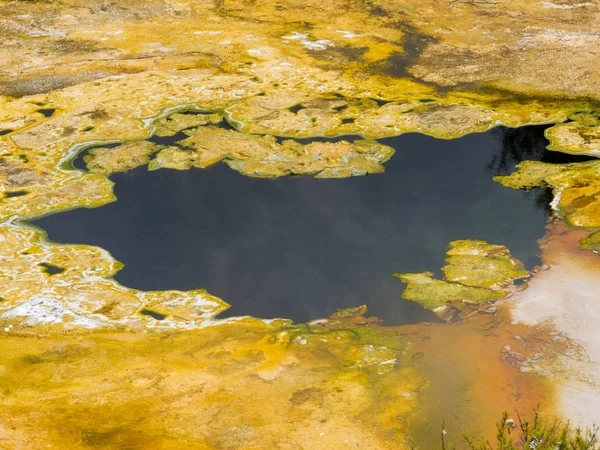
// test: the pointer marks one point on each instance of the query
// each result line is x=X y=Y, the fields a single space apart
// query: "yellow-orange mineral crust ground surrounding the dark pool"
x=79 y=74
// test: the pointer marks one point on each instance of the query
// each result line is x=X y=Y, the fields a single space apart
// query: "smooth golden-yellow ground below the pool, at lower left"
x=207 y=389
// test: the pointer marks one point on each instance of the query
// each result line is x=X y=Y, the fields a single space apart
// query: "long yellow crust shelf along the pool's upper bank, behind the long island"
x=440 y=119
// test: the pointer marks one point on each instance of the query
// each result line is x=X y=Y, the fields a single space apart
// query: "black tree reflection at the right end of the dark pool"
x=527 y=144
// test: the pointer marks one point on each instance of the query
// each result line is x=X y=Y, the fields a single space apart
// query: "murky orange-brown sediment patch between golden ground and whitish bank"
x=476 y=369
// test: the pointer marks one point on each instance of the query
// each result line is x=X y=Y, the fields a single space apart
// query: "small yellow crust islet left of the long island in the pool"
x=120 y=159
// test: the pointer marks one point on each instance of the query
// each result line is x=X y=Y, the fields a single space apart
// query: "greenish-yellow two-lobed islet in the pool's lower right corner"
x=477 y=272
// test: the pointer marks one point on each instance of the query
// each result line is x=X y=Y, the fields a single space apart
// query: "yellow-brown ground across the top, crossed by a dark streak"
x=100 y=41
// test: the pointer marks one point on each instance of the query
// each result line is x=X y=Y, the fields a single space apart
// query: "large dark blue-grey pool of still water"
x=302 y=247
